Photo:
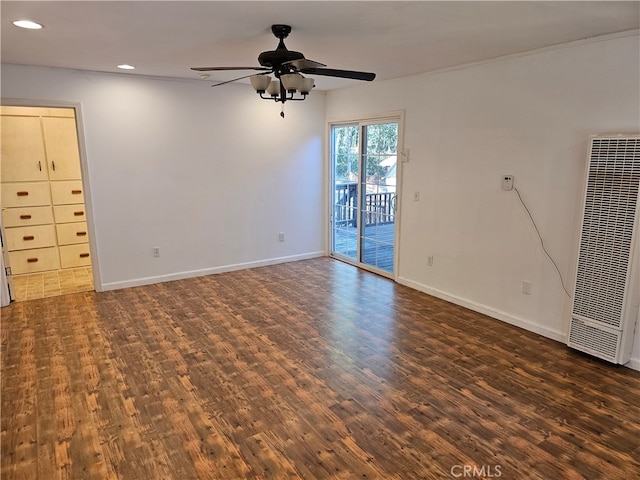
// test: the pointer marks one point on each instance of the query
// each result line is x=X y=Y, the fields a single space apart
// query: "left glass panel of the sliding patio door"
x=345 y=154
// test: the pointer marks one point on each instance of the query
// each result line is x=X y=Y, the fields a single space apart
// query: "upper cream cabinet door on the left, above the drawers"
x=23 y=158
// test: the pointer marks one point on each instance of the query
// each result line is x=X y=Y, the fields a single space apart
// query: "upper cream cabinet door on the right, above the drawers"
x=61 y=143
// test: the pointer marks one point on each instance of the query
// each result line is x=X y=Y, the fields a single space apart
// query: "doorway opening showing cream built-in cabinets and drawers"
x=45 y=236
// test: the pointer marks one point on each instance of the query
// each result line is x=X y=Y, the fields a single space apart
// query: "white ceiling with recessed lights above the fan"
x=392 y=39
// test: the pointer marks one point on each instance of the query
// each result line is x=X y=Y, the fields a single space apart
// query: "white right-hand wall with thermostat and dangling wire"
x=529 y=116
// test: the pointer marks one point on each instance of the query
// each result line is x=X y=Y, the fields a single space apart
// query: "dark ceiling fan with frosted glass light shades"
x=287 y=66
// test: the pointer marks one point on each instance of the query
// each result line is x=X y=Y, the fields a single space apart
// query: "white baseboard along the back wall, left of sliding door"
x=137 y=282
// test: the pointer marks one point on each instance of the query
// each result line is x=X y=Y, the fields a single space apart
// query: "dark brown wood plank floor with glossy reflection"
x=312 y=369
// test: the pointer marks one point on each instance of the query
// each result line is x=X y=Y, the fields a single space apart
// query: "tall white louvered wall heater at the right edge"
x=606 y=246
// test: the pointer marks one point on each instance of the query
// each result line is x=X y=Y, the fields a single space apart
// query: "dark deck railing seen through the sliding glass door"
x=379 y=207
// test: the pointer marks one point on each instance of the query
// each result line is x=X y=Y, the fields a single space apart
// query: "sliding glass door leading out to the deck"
x=364 y=193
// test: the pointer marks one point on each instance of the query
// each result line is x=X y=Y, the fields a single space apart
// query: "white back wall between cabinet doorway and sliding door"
x=209 y=175
